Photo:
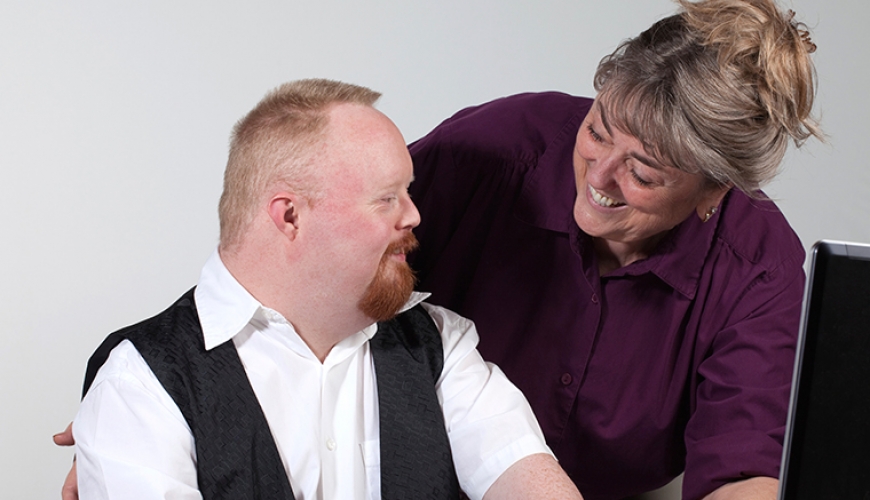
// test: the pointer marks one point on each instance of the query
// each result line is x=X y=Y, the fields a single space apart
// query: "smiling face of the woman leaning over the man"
x=623 y=194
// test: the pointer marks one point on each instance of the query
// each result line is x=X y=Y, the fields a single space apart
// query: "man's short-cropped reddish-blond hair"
x=275 y=143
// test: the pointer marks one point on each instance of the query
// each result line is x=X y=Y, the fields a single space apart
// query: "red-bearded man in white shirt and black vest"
x=285 y=368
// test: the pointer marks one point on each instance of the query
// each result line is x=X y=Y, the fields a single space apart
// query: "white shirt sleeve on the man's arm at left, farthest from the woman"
x=131 y=440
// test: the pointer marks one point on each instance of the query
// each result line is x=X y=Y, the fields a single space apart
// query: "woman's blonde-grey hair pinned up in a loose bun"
x=717 y=89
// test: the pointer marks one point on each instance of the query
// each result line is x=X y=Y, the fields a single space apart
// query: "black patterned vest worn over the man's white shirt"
x=236 y=454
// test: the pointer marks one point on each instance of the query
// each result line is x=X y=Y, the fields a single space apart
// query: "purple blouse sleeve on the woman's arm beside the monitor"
x=742 y=385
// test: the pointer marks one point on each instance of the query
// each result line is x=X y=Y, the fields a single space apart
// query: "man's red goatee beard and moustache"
x=392 y=284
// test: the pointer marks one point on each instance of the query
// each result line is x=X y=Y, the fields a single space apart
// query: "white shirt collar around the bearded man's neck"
x=225 y=307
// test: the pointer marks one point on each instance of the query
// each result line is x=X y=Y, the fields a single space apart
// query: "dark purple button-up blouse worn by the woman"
x=681 y=361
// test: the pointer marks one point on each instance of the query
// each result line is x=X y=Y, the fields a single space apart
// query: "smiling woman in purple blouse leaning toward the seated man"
x=619 y=259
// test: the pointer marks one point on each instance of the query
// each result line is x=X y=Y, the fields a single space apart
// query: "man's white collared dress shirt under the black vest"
x=133 y=443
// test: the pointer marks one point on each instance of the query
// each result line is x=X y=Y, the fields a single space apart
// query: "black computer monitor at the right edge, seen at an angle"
x=829 y=427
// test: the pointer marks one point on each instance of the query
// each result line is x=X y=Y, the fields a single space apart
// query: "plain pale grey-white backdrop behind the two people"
x=114 y=119
